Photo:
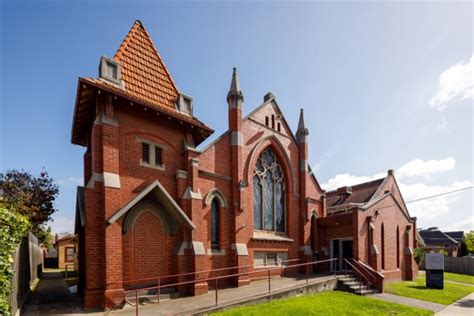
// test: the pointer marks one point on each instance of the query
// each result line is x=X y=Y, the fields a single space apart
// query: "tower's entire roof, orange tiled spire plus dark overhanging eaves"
x=146 y=81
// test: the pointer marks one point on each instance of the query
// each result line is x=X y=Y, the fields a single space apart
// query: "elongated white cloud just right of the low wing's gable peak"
x=418 y=167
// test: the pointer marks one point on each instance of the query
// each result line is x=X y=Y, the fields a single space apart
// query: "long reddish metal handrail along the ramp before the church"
x=216 y=280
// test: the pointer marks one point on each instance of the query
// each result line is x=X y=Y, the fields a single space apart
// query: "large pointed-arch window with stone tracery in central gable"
x=268 y=193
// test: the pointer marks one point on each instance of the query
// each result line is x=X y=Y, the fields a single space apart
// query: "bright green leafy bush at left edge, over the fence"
x=13 y=227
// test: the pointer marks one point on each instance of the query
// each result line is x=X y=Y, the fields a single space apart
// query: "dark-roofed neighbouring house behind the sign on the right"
x=436 y=240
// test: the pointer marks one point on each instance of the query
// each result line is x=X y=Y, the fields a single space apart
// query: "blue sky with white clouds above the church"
x=384 y=85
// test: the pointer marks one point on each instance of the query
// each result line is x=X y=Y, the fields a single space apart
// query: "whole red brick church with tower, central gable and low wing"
x=156 y=203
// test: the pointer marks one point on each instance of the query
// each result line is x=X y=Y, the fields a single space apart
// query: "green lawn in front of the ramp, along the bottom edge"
x=327 y=303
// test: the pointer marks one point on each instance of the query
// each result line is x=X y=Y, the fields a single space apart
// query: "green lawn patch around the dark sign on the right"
x=417 y=289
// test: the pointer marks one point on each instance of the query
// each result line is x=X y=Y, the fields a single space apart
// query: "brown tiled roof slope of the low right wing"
x=360 y=193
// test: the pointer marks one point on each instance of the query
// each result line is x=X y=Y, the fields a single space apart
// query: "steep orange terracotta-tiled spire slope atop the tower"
x=143 y=71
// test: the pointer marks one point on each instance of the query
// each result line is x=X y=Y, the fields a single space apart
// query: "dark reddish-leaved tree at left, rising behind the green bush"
x=32 y=197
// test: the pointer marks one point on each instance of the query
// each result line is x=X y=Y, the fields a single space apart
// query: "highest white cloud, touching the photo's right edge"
x=455 y=84
